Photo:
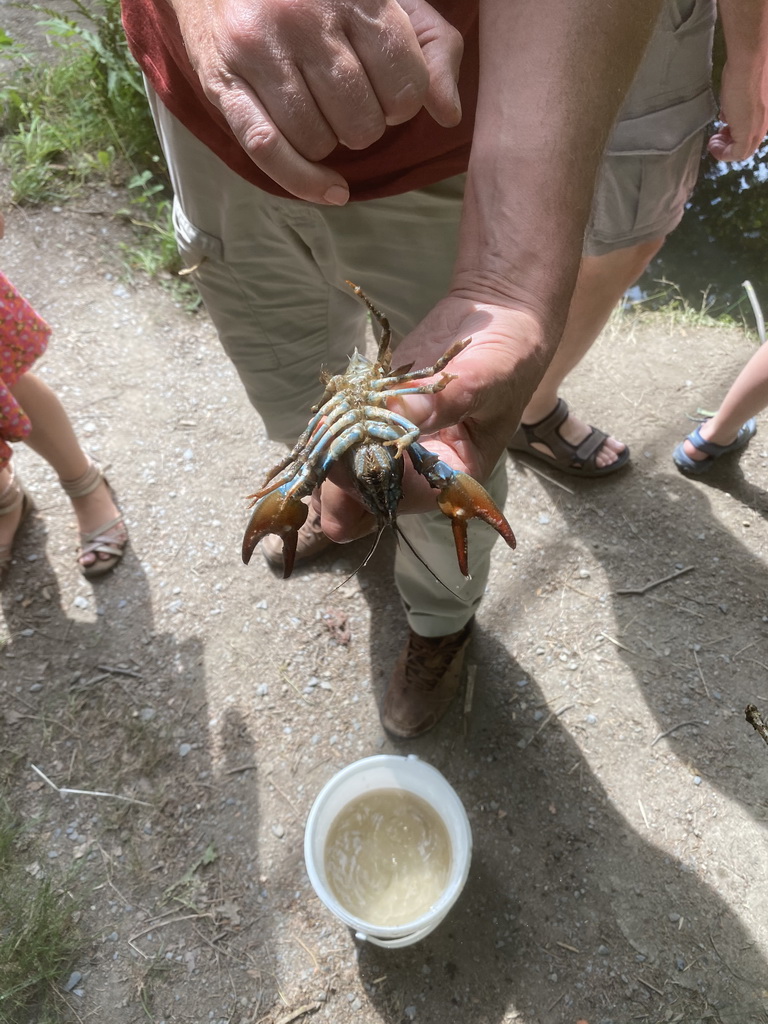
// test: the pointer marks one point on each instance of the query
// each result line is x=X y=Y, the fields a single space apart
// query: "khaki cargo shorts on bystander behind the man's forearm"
x=654 y=157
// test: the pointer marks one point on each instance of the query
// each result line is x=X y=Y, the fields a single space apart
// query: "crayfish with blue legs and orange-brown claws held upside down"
x=352 y=423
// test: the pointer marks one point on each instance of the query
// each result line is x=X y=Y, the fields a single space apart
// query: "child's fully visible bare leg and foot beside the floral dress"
x=53 y=438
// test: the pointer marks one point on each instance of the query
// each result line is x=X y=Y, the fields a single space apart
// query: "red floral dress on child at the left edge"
x=24 y=337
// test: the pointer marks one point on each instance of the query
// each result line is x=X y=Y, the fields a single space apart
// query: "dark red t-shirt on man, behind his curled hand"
x=408 y=156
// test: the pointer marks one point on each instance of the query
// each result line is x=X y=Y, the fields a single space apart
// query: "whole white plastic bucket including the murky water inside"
x=388 y=848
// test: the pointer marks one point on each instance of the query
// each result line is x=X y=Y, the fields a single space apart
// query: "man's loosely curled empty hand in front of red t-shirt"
x=296 y=78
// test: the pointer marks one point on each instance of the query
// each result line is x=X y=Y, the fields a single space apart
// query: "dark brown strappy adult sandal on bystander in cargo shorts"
x=576 y=460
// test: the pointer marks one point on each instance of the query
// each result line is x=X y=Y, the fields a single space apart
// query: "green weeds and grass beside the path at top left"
x=83 y=119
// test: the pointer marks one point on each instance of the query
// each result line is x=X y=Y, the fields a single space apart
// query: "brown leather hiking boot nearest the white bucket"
x=425 y=681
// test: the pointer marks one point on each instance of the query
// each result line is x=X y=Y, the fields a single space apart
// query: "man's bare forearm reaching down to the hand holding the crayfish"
x=553 y=76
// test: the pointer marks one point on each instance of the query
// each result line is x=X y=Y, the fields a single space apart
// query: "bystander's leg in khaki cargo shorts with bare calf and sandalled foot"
x=650 y=169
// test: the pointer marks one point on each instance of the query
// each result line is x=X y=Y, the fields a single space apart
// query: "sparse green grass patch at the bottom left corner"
x=39 y=940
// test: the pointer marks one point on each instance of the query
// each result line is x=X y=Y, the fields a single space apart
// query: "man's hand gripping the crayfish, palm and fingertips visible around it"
x=470 y=423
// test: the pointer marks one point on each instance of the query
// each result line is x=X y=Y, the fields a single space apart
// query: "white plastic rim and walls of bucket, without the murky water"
x=388 y=772
